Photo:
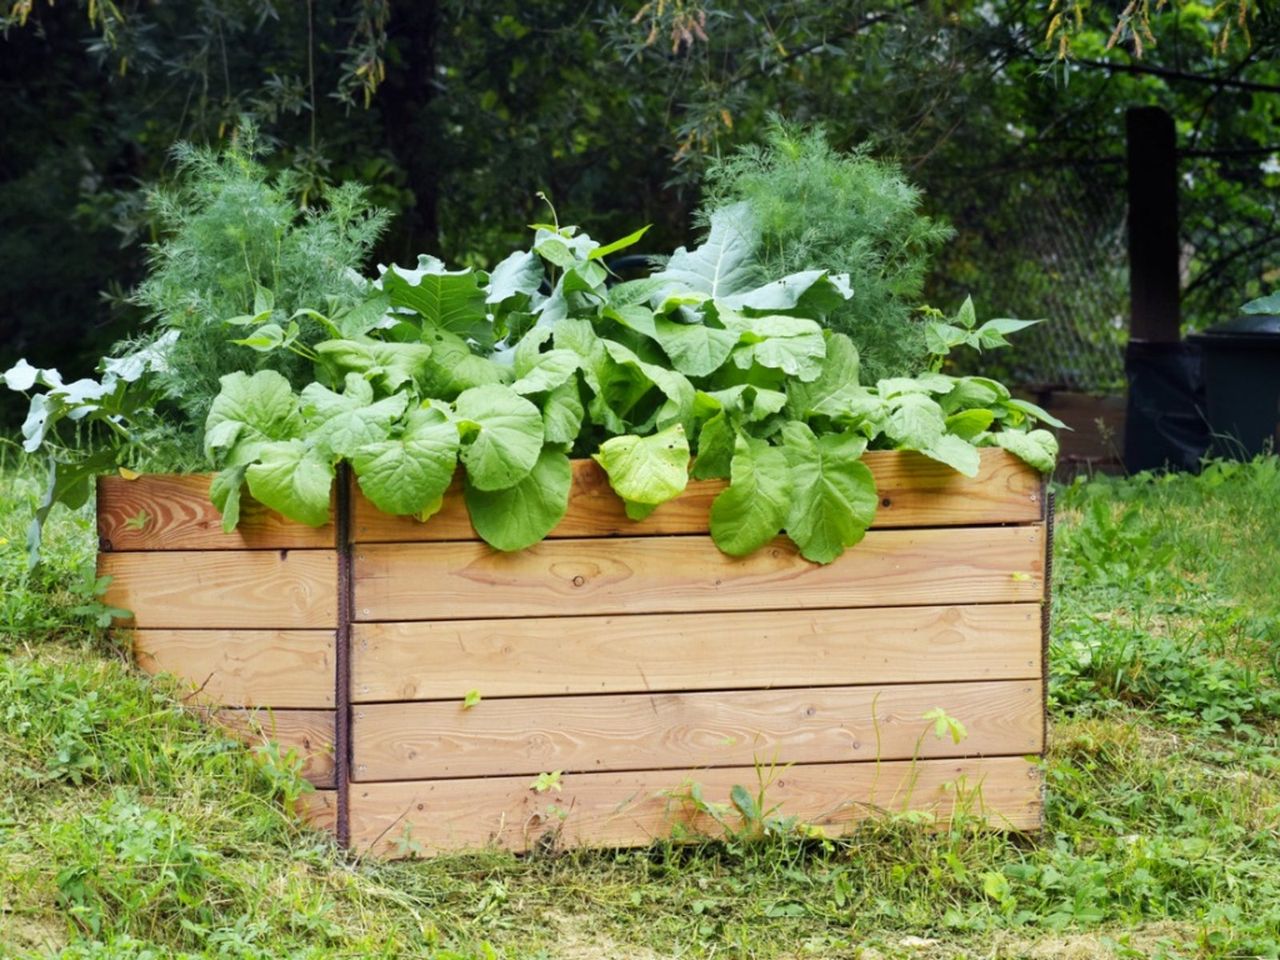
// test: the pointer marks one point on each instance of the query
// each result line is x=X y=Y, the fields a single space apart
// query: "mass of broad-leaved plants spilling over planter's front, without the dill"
x=511 y=373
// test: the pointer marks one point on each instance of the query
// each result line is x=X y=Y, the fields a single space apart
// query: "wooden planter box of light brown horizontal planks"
x=633 y=659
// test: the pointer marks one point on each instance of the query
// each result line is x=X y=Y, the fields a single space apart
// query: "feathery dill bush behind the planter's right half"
x=817 y=208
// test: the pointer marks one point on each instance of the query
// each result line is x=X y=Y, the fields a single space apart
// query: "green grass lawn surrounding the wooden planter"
x=130 y=831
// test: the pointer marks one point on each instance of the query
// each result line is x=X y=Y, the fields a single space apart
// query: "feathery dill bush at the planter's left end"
x=234 y=228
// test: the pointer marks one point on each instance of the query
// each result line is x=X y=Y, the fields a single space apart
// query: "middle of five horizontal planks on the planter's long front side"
x=540 y=657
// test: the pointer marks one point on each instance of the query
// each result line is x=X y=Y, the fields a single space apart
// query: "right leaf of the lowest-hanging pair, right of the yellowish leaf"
x=833 y=496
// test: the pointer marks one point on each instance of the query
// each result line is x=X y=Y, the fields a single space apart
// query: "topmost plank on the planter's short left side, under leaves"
x=173 y=513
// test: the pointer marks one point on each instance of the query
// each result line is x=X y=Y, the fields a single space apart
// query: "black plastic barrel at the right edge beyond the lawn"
x=1241 y=363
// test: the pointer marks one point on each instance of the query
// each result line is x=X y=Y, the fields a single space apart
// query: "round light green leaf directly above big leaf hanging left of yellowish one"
x=502 y=436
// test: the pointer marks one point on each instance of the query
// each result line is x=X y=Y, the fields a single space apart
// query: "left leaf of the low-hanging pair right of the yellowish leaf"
x=755 y=508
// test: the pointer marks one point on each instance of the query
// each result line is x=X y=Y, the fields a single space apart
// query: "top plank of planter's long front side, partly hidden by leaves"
x=915 y=492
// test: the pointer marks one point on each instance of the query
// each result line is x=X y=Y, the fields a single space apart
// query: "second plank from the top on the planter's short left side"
x=253 y=589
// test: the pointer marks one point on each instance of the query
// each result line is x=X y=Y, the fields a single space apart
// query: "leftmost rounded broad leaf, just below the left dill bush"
x=249 y=413
